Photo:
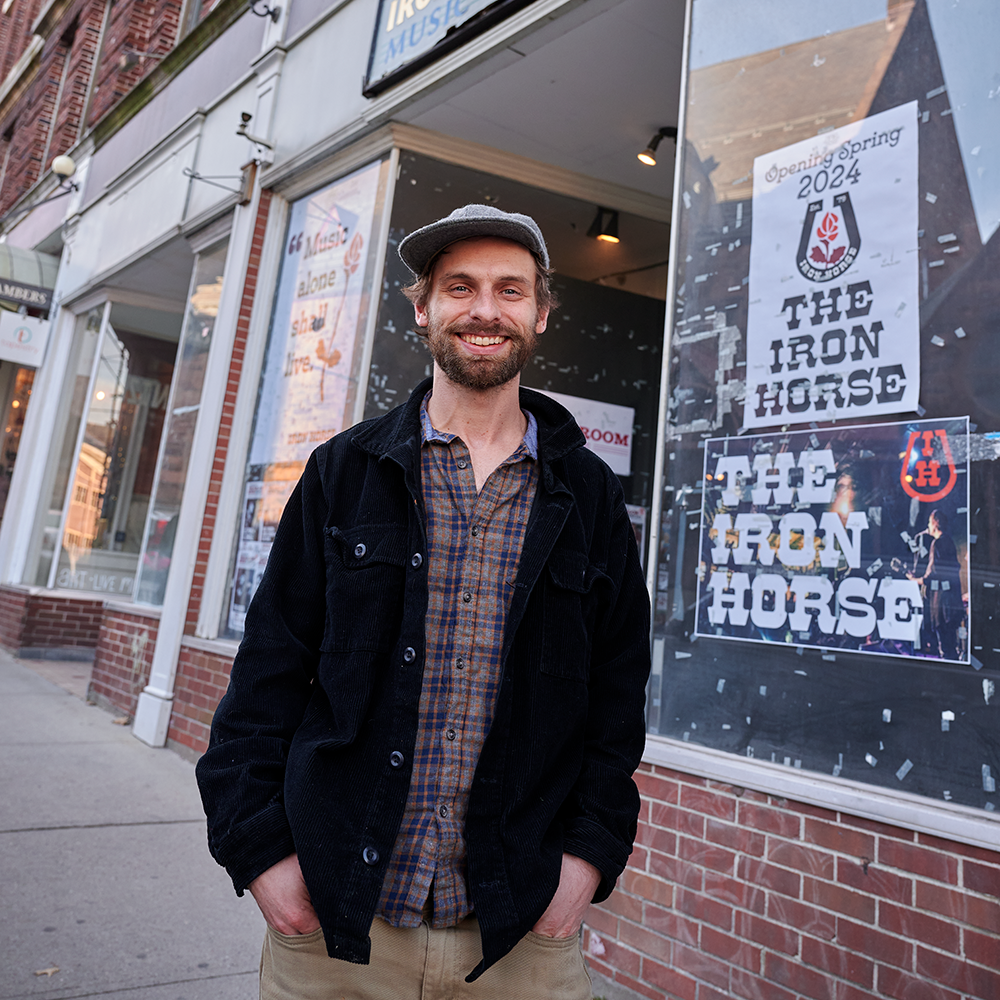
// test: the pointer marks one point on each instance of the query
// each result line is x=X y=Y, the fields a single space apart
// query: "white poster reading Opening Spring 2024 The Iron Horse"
x=833 y=319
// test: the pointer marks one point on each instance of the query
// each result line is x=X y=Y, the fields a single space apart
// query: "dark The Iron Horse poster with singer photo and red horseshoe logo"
x=853 y=539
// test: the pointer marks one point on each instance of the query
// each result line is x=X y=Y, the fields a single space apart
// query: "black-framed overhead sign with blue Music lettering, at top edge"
x=410 y=34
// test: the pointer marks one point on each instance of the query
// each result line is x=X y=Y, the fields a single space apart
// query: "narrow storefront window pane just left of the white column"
x=185 y=403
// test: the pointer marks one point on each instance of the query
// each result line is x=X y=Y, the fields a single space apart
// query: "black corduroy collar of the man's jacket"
x=397 y=434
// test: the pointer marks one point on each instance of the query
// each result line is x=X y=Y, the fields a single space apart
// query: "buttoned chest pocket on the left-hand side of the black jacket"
x=365 y=581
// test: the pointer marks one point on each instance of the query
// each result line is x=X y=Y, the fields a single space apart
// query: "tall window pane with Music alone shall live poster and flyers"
x=308 y=378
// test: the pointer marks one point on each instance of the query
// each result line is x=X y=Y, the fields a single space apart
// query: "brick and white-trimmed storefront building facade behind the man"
x=787 y=357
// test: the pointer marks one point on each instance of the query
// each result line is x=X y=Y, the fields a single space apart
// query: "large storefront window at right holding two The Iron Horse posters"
x=826 y=589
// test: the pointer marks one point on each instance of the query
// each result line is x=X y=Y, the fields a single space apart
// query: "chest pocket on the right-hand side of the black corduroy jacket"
x=570 y=585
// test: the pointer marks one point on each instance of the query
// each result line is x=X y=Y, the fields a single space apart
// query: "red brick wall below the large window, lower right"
x=731 y=893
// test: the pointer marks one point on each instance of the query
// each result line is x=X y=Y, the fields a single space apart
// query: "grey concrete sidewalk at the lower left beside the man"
x=104 y=870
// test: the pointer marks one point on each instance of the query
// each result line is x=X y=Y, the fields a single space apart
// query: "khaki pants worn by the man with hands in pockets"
x=421 y=963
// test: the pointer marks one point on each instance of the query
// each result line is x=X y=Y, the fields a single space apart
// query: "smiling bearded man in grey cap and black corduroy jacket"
x=423 y=762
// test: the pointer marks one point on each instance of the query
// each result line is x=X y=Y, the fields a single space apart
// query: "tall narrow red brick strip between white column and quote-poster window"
x=228 y=408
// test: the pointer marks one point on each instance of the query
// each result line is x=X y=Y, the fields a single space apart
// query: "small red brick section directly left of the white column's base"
x=123 y=659
